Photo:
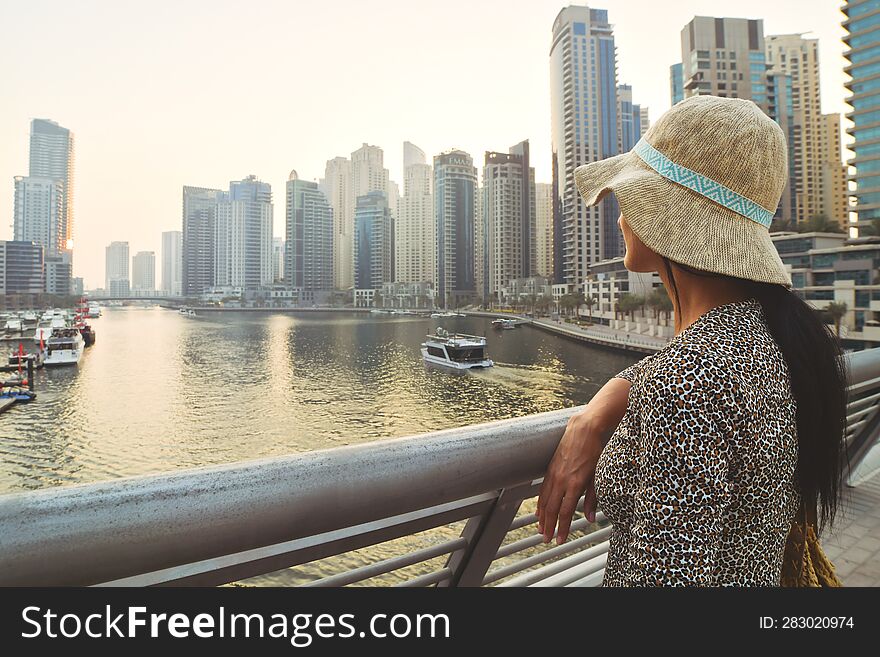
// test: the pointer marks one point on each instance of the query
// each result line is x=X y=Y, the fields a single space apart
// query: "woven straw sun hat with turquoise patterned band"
x=701 y=187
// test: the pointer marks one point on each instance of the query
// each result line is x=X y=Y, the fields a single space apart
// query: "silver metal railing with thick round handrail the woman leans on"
x=224 y=524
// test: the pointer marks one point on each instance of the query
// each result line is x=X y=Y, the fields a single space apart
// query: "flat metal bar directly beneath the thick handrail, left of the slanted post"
x=234 y=567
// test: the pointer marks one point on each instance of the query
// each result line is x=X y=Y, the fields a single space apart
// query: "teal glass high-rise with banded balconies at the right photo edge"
x=862 y=25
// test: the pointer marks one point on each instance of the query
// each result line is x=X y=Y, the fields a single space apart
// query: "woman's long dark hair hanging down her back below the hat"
x=818 y=382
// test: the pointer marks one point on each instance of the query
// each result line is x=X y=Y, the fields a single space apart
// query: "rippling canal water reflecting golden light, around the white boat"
x=160 y=391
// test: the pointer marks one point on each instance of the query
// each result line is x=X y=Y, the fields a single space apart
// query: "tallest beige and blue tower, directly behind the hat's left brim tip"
x=585 y=127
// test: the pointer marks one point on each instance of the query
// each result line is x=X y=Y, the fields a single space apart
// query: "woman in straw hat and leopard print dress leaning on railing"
x=702 y=453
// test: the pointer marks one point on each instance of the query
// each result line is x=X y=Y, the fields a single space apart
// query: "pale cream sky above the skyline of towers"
x=200 y=92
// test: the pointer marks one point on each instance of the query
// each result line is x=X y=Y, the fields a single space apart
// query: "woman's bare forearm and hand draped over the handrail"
x=573 y=466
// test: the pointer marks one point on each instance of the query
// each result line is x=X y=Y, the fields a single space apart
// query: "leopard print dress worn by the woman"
x=699 y=480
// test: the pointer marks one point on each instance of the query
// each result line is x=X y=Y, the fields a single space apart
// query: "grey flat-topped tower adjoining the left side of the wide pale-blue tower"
x=199 y=240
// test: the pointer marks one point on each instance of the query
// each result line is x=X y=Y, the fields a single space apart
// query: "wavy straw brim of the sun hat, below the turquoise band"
x=681 y=224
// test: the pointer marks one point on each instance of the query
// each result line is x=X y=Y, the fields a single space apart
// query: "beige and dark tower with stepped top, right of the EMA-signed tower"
x=508 y=219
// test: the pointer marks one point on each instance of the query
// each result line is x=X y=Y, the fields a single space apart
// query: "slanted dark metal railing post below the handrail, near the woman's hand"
x=484 y=535
